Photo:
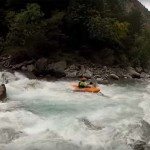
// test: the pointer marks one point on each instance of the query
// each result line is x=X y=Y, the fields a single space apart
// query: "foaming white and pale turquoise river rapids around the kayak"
x=42 y=115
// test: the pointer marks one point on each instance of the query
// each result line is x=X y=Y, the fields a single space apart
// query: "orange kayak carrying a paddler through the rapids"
x=88 y=89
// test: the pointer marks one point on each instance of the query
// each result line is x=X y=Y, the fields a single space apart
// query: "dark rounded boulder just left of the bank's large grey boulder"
x=41 y=64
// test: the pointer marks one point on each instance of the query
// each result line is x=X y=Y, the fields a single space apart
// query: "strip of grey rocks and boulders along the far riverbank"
x=45 y=68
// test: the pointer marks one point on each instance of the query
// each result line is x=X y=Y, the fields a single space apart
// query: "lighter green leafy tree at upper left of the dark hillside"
x=23 y=25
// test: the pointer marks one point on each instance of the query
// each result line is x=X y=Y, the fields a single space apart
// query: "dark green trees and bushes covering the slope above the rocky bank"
x=99 y=28
